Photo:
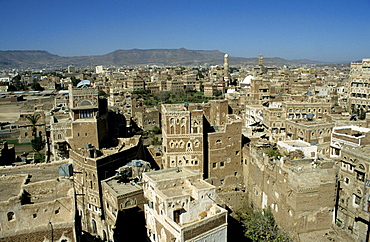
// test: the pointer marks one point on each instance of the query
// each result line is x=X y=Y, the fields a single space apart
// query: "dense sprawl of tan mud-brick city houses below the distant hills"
x=292 y=140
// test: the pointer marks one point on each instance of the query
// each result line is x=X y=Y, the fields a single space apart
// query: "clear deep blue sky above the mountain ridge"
x=322 y=30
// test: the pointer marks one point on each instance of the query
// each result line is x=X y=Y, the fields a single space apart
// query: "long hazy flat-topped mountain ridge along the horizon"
x=185 y=57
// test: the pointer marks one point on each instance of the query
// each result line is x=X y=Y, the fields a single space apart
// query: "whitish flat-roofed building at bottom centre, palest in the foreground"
x=181 y=207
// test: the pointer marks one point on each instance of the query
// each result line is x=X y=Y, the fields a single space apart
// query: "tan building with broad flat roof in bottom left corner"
x=36 y=205
